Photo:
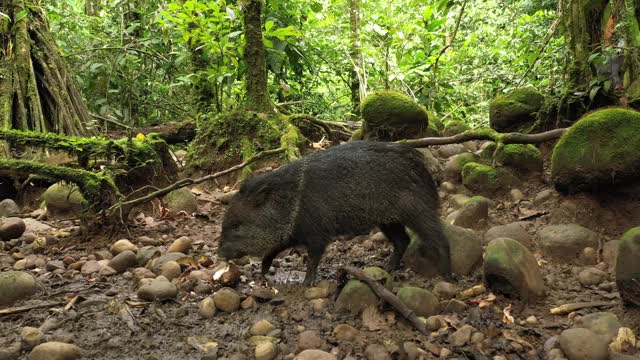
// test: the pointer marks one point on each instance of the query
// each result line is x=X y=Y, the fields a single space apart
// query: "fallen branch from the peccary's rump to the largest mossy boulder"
x=487 y=134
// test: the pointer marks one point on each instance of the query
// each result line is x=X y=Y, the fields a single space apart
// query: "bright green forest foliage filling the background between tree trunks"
x=144 y=70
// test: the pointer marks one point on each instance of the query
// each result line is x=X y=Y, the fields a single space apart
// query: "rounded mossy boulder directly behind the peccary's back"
x=391 y=115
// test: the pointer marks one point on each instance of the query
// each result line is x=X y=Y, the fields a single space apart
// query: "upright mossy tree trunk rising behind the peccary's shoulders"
x=255 y=58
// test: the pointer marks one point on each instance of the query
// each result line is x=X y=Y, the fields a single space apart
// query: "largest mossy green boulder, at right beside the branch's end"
x=599 y=150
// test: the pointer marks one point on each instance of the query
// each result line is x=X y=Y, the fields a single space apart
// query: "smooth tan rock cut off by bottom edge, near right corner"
x=583 y=344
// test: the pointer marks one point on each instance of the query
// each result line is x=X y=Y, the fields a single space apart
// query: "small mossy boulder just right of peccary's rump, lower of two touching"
x=485 y=179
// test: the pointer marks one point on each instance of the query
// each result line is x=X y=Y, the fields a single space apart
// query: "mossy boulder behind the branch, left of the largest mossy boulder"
x=515 y=111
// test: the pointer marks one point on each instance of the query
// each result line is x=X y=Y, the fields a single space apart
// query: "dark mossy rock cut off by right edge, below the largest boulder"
x=628 y=269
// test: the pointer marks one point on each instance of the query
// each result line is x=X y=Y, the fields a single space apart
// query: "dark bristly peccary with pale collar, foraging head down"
x=348 y=189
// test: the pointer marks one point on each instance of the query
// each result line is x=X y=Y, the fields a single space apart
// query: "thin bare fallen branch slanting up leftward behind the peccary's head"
x=188 y=181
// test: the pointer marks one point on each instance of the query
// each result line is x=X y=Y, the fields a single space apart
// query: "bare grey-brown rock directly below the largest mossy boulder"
x=566 y=242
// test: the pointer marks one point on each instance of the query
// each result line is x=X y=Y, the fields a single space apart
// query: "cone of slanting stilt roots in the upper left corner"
x=37 y=92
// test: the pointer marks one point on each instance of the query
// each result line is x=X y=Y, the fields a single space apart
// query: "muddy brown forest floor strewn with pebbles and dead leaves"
x=105 y=318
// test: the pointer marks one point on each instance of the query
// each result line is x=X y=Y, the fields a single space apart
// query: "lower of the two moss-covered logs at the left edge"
x=97 y=188
